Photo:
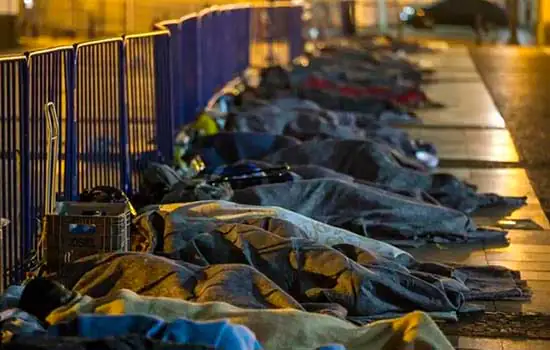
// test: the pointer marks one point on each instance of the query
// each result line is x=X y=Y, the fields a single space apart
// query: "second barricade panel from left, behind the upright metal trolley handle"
x=50 y=79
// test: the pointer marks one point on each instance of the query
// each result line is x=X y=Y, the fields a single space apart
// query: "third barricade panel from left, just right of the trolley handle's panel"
x=101 y=120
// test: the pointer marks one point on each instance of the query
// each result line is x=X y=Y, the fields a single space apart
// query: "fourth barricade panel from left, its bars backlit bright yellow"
x=149 y=99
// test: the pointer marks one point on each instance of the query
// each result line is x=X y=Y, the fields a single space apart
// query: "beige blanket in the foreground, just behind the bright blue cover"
x=275 y=329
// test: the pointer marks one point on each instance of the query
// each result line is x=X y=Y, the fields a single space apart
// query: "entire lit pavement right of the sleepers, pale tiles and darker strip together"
x=493 y=134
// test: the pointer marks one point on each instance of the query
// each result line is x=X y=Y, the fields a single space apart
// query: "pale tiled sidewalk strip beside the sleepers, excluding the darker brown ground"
x=472 y=137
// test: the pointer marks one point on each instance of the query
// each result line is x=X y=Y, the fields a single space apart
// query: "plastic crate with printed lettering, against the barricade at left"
x=79 y=229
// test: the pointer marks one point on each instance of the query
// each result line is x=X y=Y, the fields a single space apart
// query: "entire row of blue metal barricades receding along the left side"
x=119 y=101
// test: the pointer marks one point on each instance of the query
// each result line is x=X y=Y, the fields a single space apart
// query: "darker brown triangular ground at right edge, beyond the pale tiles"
x=518 y=80
